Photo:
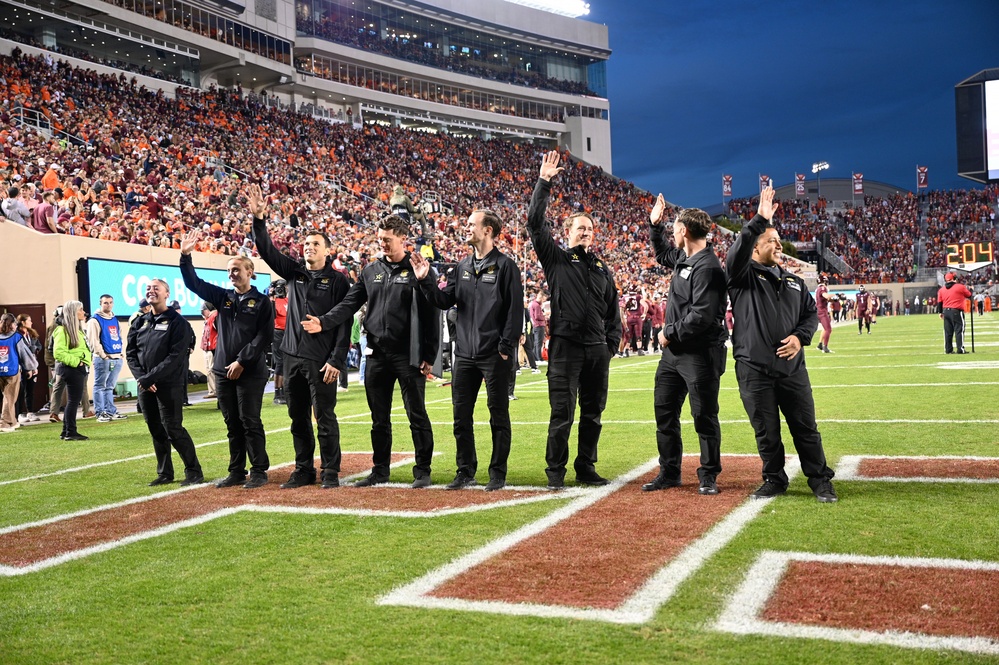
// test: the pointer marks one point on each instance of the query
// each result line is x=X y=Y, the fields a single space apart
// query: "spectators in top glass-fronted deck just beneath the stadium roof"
x=471 y=63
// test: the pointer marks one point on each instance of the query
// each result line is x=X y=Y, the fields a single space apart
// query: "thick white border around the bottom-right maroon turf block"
x=741 y=613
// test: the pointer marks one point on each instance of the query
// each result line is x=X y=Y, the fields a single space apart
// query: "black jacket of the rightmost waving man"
x=766 y=308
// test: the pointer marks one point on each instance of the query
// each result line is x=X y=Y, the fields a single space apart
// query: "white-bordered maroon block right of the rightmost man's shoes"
x=922 y=469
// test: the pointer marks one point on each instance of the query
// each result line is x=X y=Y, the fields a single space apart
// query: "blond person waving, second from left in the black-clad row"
x=245 y=325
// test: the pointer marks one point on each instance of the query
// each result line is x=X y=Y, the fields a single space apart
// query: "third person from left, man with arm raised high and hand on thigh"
x=312 y=363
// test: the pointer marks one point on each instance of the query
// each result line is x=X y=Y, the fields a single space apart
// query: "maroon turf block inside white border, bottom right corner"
x=933 y=601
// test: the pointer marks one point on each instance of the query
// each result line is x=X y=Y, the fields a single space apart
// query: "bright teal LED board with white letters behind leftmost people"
x=126 y=282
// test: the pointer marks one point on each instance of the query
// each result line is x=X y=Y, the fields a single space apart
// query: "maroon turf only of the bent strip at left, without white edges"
x=35 y=544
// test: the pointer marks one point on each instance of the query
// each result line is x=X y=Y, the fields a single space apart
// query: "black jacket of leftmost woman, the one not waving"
x=158 y=348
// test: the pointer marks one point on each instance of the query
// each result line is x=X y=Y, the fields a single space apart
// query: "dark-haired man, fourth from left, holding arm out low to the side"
x=403 y=331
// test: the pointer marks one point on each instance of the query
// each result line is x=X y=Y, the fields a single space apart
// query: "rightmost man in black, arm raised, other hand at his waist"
x=775 y=316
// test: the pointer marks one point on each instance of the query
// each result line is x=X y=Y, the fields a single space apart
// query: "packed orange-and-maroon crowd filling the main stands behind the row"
x=140 y=167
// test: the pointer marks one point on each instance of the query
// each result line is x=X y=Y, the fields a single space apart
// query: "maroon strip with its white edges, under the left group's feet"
x=28 y=548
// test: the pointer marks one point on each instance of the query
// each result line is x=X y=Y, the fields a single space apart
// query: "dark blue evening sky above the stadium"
x=699 y=88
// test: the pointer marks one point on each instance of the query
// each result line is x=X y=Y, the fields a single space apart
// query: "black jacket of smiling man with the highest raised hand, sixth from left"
x=584 y=297
